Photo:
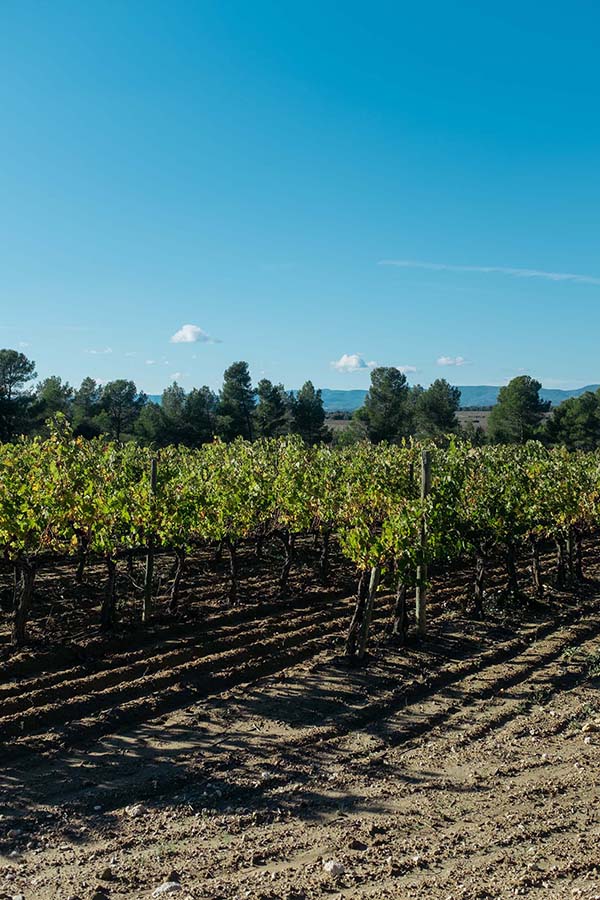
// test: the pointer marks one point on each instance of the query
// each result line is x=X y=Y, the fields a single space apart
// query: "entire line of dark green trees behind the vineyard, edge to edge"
x=393 y=410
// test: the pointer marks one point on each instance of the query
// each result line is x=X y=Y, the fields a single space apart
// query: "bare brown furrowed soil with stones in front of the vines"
x=250 y=762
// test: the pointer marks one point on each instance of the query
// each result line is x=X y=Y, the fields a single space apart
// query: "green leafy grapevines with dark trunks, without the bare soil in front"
x=66 y=497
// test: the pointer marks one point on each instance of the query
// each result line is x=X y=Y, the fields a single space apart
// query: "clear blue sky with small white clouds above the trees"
x=307 y=184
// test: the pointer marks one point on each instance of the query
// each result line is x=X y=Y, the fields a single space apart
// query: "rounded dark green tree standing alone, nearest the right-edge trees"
x=518 y=412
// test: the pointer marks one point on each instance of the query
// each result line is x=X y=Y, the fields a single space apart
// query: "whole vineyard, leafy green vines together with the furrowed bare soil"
x=183 y=630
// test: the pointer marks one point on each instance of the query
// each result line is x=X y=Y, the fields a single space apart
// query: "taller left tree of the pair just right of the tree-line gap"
x=388 y=411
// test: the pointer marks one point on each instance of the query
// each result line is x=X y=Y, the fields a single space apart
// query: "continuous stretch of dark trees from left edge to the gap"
x=122 y=412
